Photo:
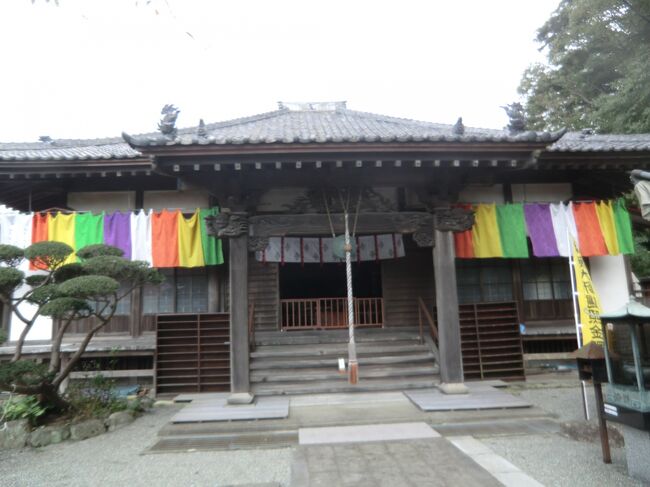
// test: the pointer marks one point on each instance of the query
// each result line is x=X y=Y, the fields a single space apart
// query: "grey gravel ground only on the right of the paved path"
x=555 y=460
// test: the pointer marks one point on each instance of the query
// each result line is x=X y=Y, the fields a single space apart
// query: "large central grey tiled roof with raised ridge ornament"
x=320 y=123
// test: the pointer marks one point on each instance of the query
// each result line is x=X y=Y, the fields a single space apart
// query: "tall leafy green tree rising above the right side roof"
x=597 y=73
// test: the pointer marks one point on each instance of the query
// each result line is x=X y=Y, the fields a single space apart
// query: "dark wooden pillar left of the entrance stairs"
x=239 y=358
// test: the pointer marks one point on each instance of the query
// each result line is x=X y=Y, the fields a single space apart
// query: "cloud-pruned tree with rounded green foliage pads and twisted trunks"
x=91 y=288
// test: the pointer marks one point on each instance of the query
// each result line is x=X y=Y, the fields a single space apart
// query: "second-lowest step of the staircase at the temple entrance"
x=321 y=374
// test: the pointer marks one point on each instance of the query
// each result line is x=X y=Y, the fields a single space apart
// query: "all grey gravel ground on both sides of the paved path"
x=117 y=459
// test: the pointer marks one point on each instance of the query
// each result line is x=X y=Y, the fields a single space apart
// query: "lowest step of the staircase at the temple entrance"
x=333 y=387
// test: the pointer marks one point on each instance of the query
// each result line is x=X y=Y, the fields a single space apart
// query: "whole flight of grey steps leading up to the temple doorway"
x=306 y=362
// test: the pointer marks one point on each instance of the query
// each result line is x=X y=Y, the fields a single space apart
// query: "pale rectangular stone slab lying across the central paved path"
x=365 y=433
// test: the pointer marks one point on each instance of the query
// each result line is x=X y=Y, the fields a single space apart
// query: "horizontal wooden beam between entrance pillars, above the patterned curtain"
x=318 y=224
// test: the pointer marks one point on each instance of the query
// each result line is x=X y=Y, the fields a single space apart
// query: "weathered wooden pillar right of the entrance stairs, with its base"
x=451 y=364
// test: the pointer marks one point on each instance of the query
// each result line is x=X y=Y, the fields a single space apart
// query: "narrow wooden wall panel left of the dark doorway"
x=263 y=290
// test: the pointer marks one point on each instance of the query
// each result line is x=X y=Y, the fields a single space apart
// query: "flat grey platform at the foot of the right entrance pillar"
x=479 y=397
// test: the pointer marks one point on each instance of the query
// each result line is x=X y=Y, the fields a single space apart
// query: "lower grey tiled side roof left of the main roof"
x=68 y=150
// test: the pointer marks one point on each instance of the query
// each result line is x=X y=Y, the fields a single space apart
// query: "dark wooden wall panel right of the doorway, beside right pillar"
x=403 y=281
